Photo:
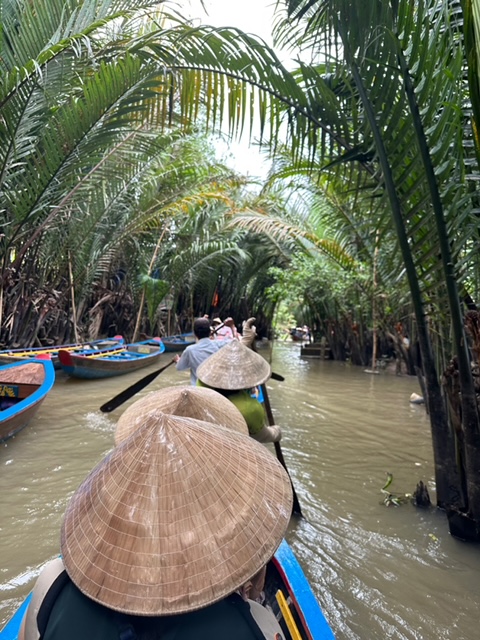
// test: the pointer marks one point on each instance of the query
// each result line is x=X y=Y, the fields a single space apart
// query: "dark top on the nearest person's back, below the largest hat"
x=67 y=614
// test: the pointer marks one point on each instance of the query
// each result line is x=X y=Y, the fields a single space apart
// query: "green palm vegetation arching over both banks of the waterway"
x=118 y=217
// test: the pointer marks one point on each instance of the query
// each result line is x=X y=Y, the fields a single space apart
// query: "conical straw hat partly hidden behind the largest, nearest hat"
x=190 y=402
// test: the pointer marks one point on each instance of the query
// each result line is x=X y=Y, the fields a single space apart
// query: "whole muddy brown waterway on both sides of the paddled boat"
x=379 y=572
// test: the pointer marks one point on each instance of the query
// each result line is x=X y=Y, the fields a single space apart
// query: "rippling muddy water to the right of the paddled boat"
x=378 y=572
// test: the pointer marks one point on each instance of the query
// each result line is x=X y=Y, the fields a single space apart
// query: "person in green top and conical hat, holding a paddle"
x=234 y=371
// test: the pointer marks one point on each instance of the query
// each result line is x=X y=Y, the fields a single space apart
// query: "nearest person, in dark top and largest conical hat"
x=162 y=537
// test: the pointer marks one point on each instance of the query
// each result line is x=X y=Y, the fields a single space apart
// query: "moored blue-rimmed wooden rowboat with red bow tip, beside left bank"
x=91 y=364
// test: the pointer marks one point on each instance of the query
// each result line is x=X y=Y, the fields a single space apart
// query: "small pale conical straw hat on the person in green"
x=232 y=367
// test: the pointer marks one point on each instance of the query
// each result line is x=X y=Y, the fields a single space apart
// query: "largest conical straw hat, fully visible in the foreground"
x=178 y=516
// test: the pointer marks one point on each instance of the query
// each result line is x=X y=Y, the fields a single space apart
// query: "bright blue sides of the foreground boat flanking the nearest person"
x=287 y=593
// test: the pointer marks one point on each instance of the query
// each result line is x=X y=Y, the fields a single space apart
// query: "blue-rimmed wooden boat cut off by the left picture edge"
x=23 y=387
